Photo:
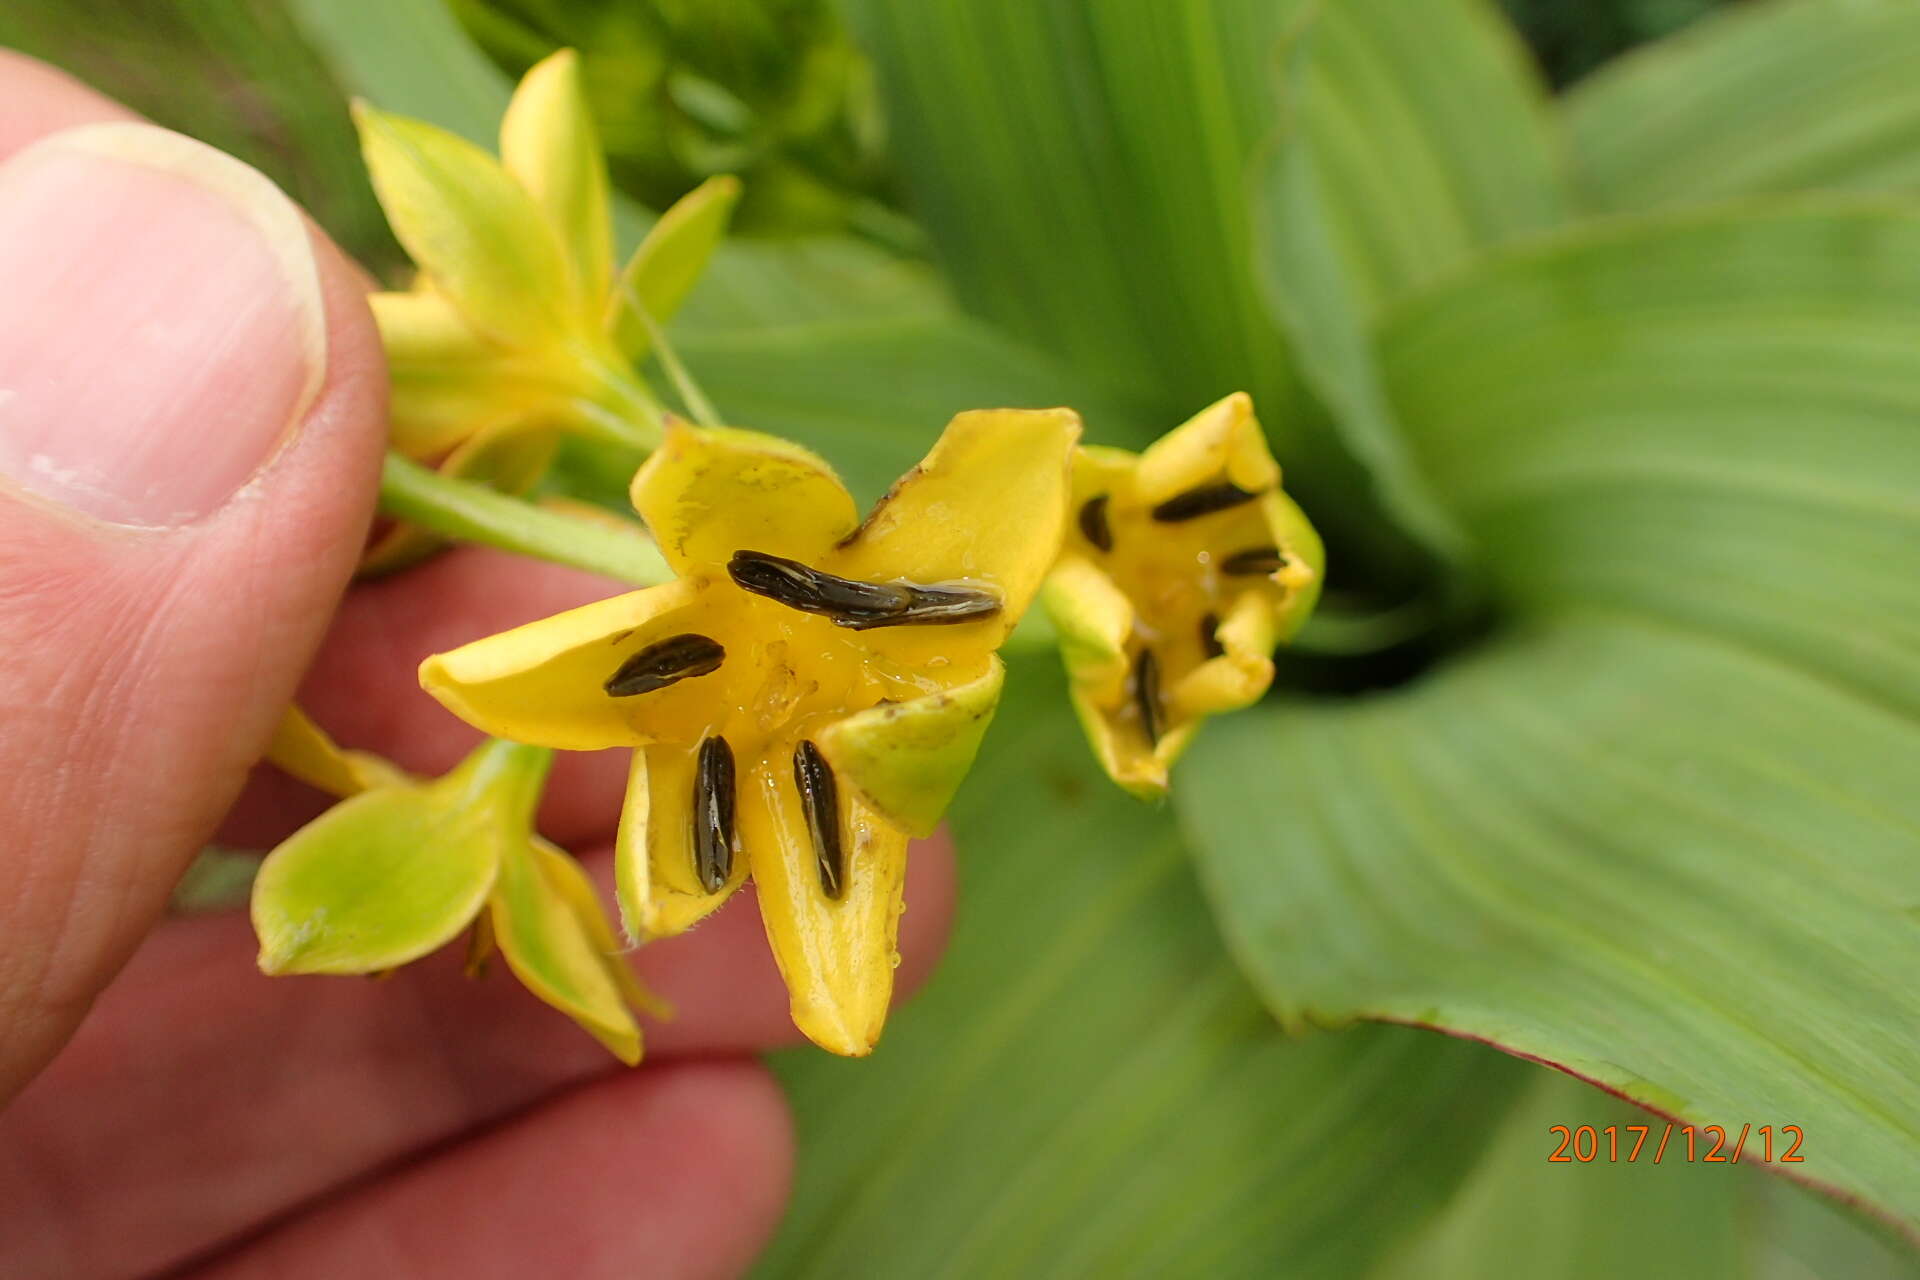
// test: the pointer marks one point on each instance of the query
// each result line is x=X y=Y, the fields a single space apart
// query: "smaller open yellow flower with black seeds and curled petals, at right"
x=1184 y=569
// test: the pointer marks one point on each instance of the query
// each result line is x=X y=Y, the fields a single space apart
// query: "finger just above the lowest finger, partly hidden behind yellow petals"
x=203 y=1099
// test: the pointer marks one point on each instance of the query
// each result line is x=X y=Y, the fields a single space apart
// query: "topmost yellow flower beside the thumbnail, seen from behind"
x=519 y=329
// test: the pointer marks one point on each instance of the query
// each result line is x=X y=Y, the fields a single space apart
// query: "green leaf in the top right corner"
x=1760 y=99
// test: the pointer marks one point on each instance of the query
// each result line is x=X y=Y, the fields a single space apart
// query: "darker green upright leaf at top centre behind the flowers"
x=1082 y=170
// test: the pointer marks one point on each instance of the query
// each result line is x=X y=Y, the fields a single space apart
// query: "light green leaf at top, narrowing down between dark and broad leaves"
x=1412 y=141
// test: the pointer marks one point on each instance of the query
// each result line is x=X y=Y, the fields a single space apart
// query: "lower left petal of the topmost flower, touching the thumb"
x=448 y=383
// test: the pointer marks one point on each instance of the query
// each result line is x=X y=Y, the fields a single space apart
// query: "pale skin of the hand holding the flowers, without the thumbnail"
x=168 y=1110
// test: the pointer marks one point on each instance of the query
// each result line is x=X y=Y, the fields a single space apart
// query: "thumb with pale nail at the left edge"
x=191 y=423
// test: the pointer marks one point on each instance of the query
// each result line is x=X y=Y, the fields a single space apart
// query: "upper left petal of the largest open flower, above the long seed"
x=711 y=492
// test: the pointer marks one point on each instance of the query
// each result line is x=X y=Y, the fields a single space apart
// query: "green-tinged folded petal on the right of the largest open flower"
x=909 y=759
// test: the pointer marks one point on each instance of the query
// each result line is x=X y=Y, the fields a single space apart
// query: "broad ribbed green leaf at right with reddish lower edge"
x=1660 y=830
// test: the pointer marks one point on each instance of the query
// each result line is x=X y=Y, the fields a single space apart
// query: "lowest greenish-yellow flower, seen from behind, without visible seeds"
x=406 y=866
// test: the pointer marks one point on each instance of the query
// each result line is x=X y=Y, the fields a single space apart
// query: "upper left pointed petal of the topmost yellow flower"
x=475 y=231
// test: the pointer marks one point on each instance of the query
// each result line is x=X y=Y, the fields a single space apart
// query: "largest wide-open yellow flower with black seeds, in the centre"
x=805 y=696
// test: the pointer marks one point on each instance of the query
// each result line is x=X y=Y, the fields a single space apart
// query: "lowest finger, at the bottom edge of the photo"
x=671 y=1173
